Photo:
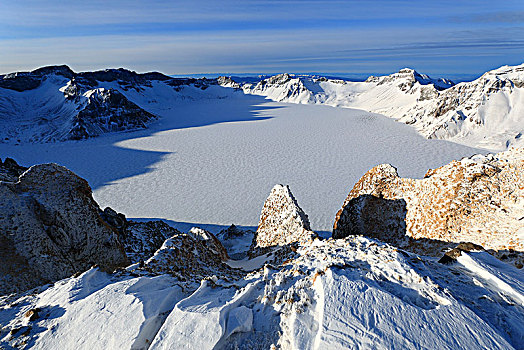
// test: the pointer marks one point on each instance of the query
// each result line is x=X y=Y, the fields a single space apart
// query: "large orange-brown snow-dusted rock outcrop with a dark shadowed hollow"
x=478 y=199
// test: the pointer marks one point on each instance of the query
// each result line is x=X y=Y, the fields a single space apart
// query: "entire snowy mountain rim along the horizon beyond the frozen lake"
x=56 y=104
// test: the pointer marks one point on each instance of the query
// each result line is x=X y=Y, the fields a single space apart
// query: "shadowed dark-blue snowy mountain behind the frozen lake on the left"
x=56 y=104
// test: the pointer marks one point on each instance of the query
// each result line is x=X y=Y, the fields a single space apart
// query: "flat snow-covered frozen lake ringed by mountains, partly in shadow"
x=214 y=161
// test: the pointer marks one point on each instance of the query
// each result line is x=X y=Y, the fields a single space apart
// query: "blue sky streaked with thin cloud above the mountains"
x=446 y=38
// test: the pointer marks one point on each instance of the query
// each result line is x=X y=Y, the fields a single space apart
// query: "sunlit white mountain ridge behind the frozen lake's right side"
x=487 y=112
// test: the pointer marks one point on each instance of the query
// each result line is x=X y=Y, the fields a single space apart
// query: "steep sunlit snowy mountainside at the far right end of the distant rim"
x=486 y=112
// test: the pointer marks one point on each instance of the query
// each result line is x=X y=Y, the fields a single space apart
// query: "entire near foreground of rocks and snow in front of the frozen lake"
x=279 y=287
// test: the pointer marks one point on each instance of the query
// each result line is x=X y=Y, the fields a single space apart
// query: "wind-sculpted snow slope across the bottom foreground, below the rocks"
x=336 y=294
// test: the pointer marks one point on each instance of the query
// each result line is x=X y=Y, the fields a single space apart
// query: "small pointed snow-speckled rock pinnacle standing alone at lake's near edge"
x=282 y=221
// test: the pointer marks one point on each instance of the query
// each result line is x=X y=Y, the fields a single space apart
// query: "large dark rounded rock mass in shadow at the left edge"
x=50 y=228
